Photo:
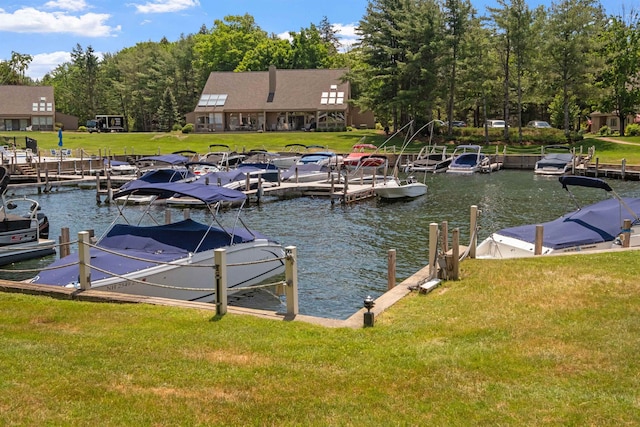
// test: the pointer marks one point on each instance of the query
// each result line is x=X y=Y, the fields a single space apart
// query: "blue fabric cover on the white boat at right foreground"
x=597 y=223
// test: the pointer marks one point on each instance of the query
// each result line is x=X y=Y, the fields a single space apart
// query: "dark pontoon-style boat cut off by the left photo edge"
x=25 y=236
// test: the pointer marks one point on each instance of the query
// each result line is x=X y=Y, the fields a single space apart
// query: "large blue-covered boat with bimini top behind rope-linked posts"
x=174 y=260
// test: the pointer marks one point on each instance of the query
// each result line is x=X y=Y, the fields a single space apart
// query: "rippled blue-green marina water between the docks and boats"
x=342 y=250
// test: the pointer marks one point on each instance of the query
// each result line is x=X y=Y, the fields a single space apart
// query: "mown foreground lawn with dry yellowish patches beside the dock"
x=545 y=341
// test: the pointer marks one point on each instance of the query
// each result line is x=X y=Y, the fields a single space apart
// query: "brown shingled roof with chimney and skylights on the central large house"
x=295 y=90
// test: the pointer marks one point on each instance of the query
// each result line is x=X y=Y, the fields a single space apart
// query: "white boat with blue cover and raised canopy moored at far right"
x=596 y=226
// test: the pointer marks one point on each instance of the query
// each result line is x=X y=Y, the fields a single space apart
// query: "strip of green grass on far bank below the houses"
x=153 y=143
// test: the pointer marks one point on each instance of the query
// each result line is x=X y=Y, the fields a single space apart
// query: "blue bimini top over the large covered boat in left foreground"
x=208 y=194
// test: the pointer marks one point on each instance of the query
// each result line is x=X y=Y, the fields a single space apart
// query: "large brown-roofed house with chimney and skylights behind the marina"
x=277 y=100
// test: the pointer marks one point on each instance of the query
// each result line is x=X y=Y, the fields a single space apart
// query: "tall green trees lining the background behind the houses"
x=415 y=60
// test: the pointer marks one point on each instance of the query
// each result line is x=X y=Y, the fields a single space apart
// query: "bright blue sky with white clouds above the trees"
x=49 y=30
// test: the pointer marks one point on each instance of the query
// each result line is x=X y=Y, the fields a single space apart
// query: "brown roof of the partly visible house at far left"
x=19 y=100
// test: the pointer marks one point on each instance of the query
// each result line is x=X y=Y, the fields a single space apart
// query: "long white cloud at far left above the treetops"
x=30 y=20
